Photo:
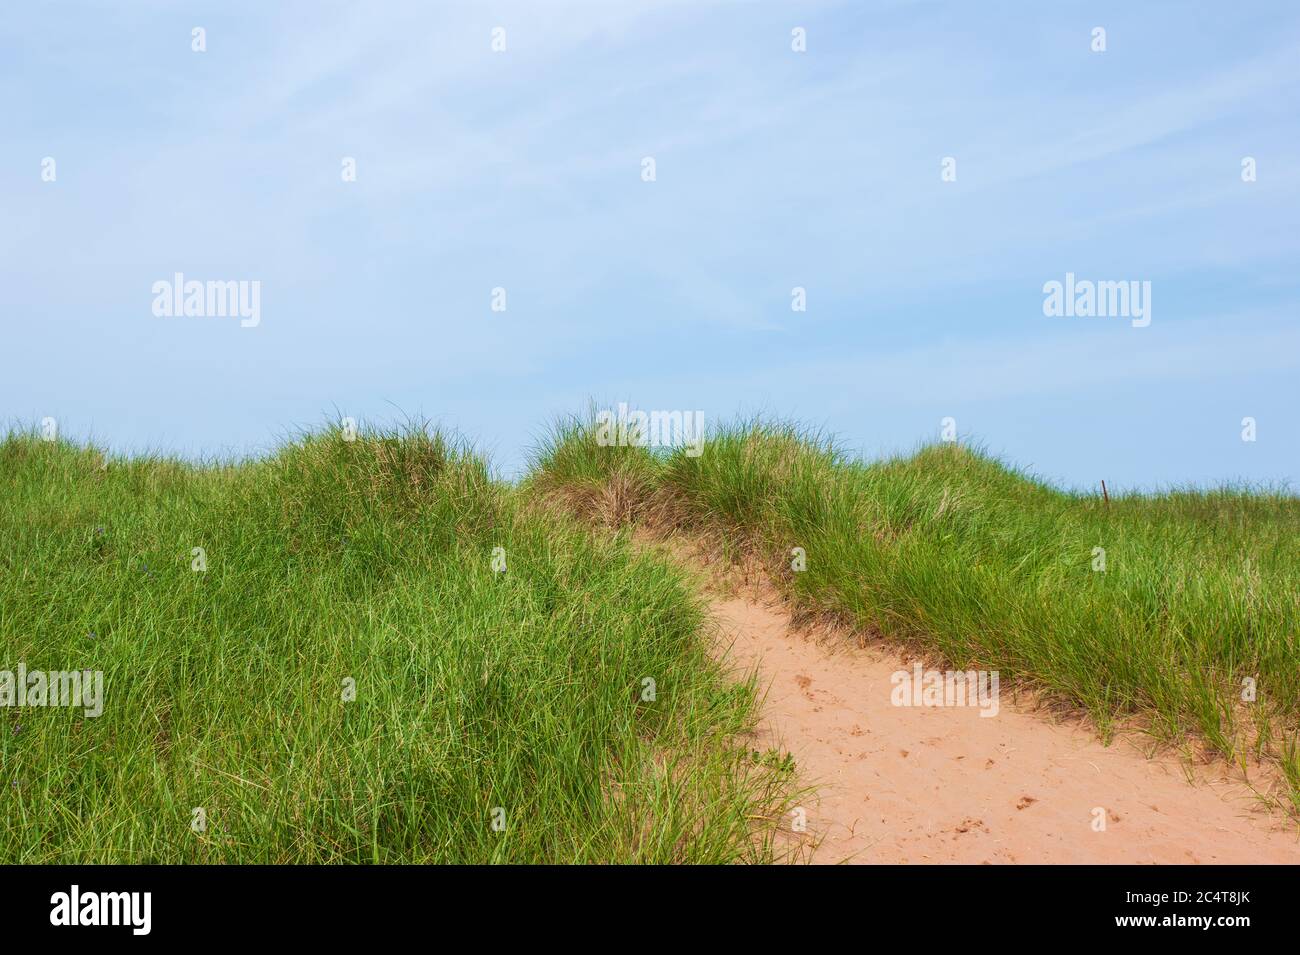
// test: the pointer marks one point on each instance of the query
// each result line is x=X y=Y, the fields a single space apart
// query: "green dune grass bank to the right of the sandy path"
x=1159 y=606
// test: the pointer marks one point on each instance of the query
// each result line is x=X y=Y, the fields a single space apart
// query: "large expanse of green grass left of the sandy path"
x=366 y=561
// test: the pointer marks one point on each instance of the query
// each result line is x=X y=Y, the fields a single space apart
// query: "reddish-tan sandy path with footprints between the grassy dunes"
x=944 y=785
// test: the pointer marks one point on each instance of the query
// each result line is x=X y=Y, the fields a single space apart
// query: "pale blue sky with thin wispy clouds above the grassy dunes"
x=522 y=170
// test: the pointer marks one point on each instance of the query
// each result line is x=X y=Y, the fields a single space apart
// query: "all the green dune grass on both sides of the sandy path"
x=370 y=563
